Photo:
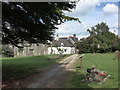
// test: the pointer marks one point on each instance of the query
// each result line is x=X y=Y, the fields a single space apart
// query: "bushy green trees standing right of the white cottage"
x=101 y=40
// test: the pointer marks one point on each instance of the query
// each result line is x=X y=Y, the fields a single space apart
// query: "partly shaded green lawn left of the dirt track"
x=19 y=68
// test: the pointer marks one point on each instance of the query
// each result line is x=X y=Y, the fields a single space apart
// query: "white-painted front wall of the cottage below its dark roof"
x=69 y=50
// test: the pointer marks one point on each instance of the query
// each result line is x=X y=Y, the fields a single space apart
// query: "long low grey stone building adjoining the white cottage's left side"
x=31 y=50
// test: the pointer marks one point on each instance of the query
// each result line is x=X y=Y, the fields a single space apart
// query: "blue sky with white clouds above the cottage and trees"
x=90 y=13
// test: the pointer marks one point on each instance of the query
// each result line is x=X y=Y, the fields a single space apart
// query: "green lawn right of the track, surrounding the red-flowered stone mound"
x=105 y=62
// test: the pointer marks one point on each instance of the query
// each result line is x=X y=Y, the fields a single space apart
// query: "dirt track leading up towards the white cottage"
x=54 y=77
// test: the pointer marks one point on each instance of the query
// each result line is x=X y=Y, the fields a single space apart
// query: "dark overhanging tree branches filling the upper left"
x=34 y=22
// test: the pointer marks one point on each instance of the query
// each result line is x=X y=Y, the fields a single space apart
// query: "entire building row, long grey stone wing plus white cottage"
x=68 y=44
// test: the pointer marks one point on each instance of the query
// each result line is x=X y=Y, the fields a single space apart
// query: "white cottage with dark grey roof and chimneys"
x=65 y=44
